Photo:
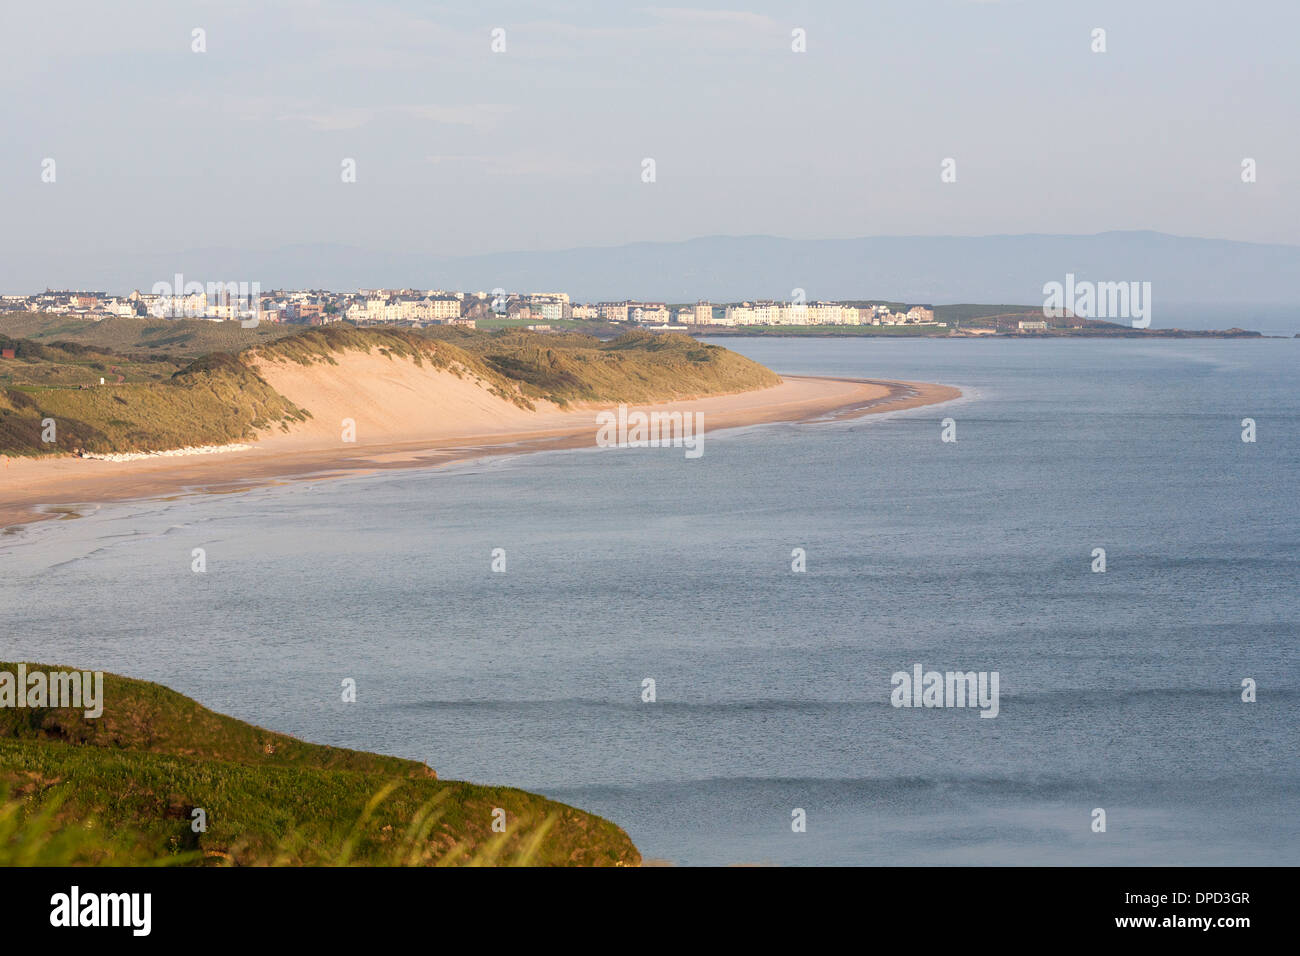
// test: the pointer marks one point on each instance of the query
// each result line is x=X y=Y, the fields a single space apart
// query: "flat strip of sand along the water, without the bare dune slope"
x=49 y=488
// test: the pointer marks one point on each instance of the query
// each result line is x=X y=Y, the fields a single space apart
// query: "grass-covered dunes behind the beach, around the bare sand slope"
x=222 y=399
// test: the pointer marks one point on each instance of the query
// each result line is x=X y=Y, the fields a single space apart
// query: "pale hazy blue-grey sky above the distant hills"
x=463 y=150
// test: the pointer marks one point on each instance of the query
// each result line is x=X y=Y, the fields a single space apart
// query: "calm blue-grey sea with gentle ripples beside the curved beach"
x=1120 y=691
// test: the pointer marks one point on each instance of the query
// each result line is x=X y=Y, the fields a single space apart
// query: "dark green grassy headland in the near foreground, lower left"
x=123 y=789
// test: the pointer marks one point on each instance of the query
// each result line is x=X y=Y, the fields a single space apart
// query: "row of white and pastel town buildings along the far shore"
x=539 y=312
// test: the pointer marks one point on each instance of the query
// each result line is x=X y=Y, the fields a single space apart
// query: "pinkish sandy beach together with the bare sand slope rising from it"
x=396 y=430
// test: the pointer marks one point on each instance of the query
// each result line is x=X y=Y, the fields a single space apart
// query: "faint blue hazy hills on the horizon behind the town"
x=1195 y=283
